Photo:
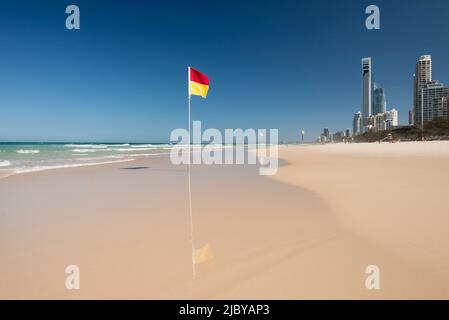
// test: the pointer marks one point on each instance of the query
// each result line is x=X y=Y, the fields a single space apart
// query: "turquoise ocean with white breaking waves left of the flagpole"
x=16 y=158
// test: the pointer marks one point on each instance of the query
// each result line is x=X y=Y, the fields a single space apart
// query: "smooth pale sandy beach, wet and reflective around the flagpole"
x=307 y=232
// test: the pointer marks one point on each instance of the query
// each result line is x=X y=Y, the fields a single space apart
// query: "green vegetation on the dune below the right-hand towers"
x=437 y=129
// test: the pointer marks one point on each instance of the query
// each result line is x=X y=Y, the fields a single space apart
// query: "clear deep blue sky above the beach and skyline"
x=272 y=64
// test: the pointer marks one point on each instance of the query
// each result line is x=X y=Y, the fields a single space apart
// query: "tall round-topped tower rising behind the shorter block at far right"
x=422 y=76
